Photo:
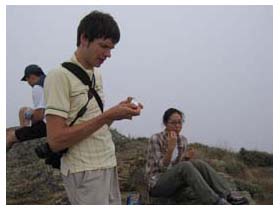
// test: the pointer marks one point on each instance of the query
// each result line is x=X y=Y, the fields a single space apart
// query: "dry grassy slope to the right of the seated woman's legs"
x=255 y=179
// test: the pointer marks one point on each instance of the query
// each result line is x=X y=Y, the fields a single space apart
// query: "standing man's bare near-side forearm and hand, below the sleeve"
x=61 y=136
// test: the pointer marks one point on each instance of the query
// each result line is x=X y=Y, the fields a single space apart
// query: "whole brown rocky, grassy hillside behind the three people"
x=30 y=181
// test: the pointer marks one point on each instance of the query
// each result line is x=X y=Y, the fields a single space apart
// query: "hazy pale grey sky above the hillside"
x=212 y=62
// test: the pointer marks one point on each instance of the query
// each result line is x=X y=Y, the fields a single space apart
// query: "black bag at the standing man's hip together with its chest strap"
x=43 y=150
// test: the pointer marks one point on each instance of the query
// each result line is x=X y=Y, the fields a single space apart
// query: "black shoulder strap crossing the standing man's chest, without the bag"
x=84 y=78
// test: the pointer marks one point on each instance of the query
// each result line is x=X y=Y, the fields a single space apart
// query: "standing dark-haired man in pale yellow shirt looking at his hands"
x=89 y=167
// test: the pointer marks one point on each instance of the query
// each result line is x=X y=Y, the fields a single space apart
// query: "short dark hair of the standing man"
x=98 y=25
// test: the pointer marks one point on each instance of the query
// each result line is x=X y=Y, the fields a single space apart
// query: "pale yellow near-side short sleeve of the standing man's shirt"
x=57 y=93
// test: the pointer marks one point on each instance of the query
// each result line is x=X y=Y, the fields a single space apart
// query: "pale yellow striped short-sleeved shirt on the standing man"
x=65 y=95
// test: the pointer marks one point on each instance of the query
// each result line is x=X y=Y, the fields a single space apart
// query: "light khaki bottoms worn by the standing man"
x=96 y=187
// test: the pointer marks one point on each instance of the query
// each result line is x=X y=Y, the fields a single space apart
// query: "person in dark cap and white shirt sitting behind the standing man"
x=35 y=77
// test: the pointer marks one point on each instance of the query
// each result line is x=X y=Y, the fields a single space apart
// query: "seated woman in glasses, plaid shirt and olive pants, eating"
x=169 y=168
